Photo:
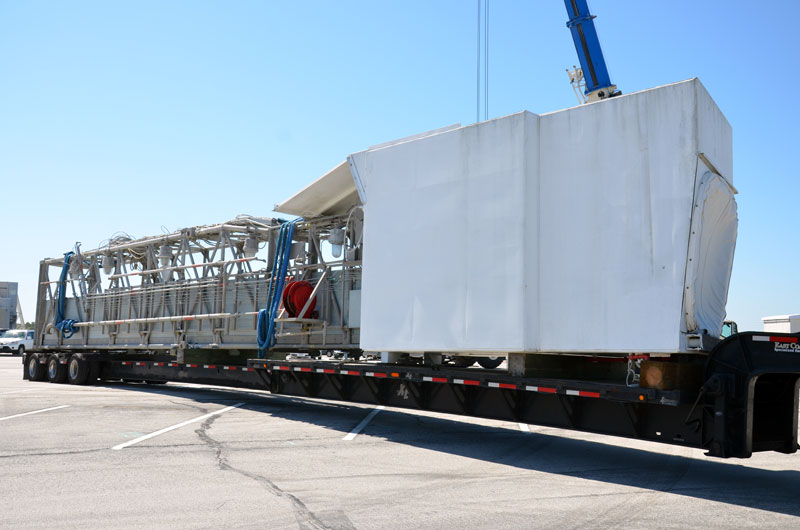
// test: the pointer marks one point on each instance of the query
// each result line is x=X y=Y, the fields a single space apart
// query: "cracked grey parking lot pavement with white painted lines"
x=177 y=456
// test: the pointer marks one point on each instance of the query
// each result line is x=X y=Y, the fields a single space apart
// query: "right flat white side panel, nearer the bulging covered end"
x=616 y=181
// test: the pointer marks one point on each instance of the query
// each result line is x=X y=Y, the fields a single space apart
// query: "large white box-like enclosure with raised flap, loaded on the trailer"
x=608 y=227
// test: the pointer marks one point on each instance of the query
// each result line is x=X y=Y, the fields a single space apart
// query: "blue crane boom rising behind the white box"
x=584 y=34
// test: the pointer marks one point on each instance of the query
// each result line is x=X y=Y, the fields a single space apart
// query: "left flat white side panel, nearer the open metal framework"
x=444 y=249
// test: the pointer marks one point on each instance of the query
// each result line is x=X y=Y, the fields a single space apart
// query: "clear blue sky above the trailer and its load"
x=136 y=115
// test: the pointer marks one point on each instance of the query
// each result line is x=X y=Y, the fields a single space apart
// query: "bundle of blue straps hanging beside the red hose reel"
x=265 y=325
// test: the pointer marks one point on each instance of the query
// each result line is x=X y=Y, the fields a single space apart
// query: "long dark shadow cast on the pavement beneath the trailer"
x=725 y=481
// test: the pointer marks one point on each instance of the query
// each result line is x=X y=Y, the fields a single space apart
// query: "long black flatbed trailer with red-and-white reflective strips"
x=747 y=403
